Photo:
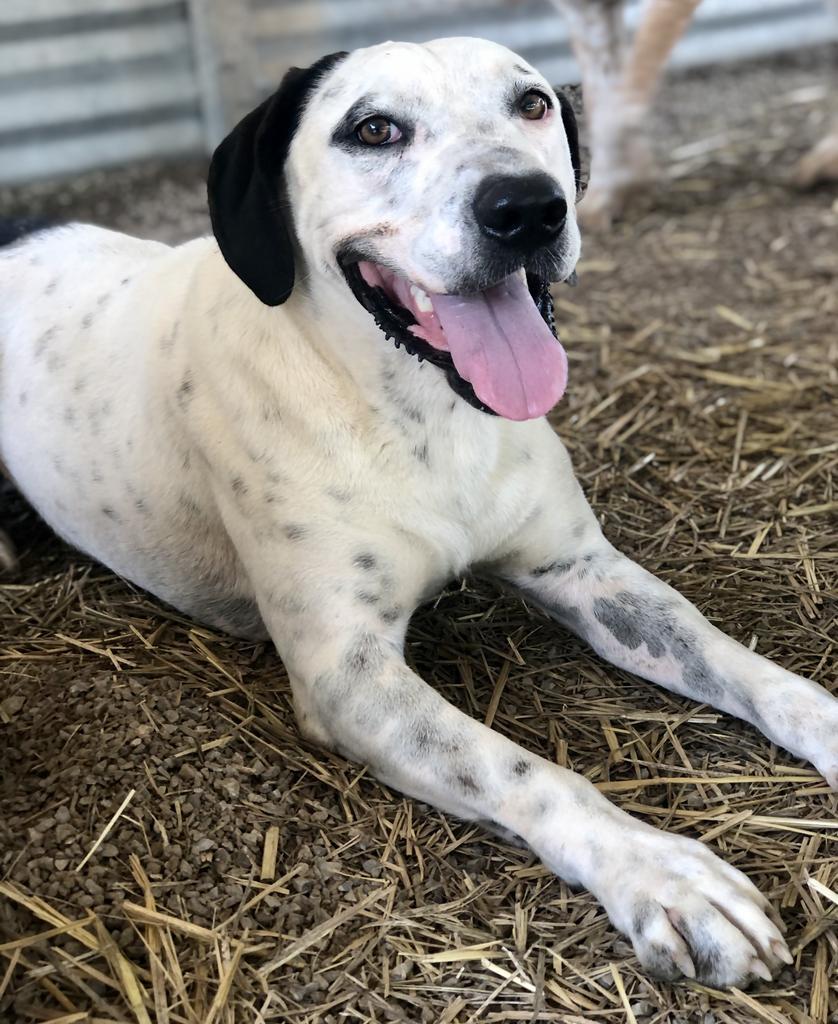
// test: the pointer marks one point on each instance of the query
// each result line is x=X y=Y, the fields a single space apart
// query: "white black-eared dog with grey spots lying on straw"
x=305 y=426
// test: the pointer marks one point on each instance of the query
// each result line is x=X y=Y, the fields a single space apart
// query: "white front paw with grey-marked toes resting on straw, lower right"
x=690 y=915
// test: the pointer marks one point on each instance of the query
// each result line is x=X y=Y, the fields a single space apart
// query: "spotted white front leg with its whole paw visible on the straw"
x=686 y=912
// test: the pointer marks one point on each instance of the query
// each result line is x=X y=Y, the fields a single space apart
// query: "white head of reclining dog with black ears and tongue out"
x=439 y=183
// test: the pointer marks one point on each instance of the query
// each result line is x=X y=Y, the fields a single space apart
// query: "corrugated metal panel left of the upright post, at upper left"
x=88 y=83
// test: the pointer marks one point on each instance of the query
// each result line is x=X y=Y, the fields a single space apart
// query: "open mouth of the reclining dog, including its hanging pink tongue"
x=497 y=348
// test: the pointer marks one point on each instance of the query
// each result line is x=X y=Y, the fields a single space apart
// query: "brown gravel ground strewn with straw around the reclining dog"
x=249 y=877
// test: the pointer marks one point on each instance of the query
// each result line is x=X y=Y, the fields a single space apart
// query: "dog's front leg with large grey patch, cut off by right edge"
x=641 y=624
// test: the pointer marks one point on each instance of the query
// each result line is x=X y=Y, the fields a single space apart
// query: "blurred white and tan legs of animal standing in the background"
x=620 y=78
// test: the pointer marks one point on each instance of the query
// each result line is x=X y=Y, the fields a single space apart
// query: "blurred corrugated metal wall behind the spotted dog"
x=87 y=83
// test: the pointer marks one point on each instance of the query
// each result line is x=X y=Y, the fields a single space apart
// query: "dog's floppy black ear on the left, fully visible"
x=244 y=187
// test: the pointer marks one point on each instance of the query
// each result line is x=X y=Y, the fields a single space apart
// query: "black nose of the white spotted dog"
x=524 y=212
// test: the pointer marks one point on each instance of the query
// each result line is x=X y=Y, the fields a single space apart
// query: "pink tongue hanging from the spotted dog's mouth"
x=501 y=346
